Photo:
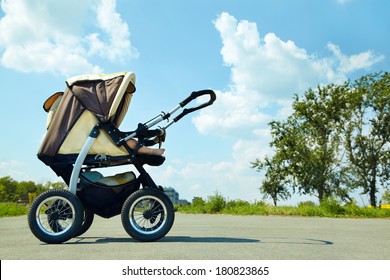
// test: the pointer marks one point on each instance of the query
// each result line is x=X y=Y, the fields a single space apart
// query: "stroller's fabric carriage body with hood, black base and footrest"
x=88 y=100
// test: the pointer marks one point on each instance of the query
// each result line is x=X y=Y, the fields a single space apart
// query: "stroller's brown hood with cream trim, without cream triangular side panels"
x=103 y=97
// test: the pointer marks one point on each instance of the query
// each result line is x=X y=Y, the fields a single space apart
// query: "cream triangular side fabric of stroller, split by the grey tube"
x=79 y=134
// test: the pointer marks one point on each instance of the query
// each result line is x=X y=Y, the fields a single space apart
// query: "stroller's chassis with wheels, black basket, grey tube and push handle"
x=58 y=215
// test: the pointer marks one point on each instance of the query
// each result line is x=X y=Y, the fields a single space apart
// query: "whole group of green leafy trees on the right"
x=336 y=140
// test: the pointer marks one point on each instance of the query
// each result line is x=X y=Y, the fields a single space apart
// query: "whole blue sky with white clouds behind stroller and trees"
x=255 y=54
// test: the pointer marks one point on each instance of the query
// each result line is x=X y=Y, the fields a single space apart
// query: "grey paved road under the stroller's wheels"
x=211 y=237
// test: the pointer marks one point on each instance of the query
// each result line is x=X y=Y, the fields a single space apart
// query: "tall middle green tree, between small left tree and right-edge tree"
x=317 y=160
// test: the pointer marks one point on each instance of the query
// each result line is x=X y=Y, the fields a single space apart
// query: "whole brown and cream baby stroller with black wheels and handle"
x=83 y=137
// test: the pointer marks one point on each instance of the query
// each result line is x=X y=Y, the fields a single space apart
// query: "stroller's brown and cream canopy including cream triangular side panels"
x=87 y=101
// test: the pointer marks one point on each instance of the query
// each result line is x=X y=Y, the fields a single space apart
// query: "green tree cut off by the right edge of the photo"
x=367 y=134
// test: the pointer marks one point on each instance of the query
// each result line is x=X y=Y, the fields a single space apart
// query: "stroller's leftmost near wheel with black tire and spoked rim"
x=55 y=216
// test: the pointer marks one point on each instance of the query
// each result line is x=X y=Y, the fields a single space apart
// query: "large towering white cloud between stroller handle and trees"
x=265 y=73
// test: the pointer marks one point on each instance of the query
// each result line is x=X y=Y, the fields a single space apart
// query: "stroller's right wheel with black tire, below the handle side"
x=147 y=215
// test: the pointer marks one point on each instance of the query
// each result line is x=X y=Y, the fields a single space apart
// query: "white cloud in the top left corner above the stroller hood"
x=54 y=36
